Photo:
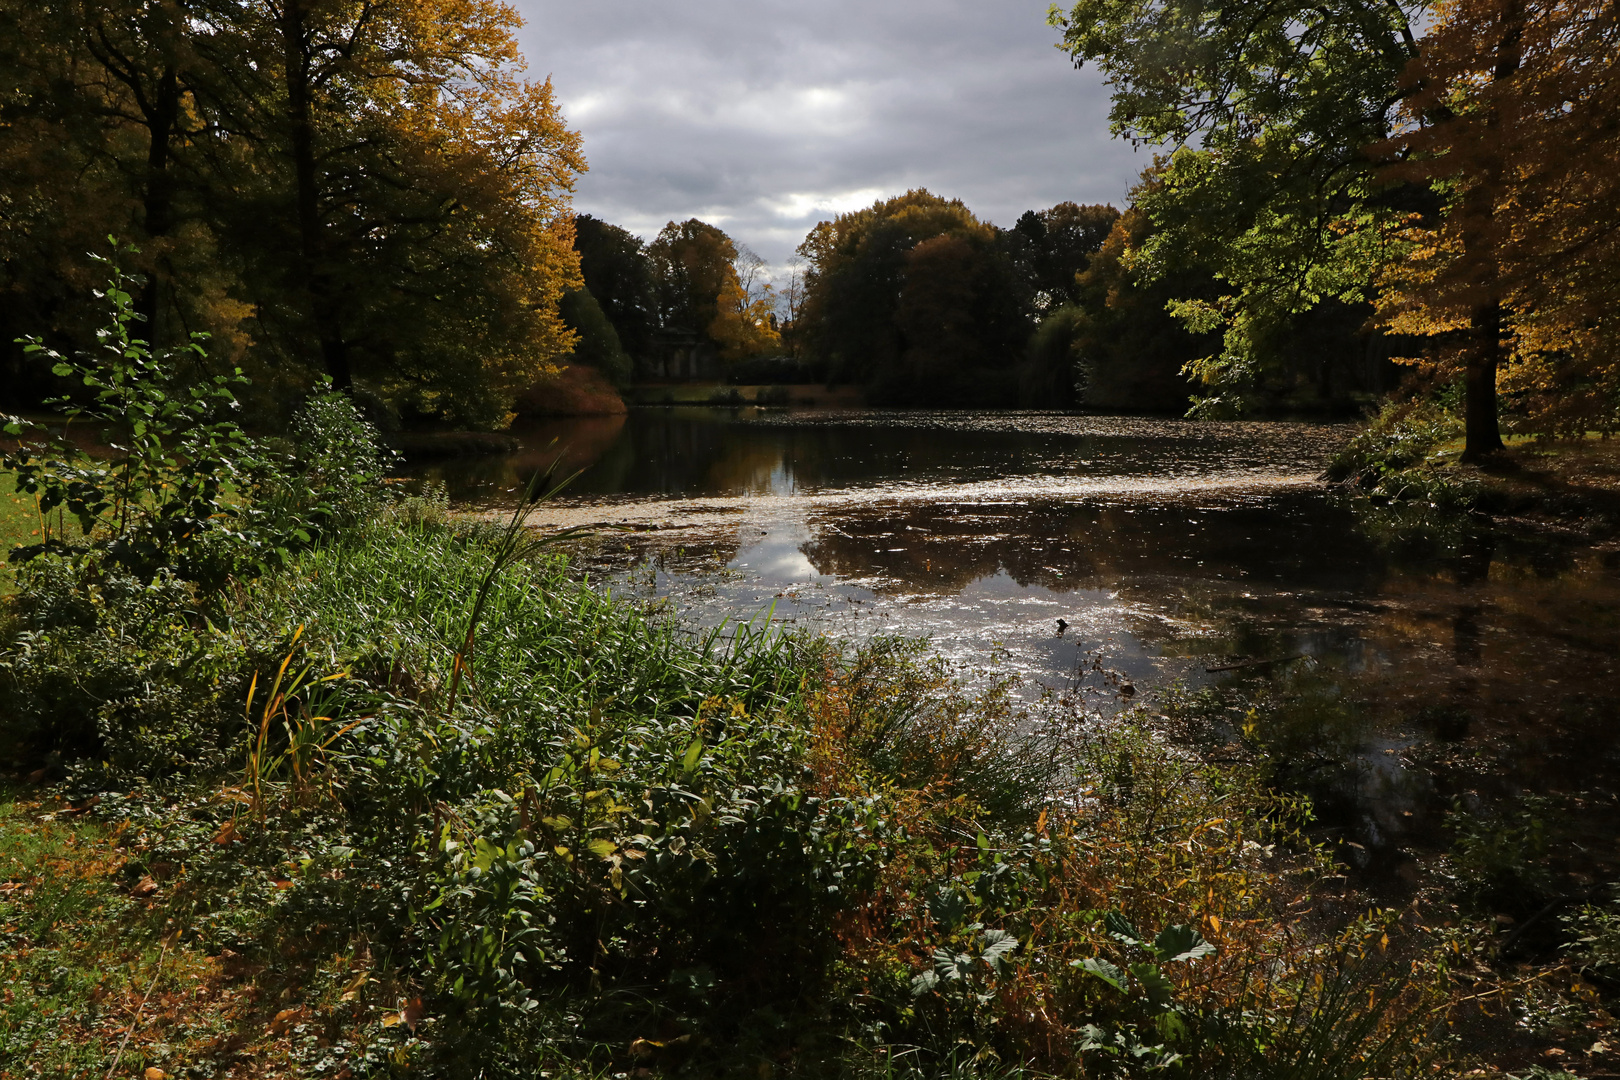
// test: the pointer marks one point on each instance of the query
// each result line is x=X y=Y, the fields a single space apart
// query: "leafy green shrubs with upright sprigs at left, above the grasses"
x=185 y=493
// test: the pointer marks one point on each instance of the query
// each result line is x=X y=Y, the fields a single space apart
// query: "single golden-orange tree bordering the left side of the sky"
x=404 y=193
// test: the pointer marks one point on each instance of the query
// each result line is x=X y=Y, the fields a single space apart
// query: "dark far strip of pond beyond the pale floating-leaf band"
x=691 y=453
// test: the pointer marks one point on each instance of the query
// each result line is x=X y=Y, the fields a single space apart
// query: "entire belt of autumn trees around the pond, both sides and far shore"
x=377 y=193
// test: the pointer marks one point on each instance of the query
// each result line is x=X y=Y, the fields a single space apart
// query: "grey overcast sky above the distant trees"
x=765 y=117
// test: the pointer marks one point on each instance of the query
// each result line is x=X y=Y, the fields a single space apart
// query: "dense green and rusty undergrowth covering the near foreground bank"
x=626 y=849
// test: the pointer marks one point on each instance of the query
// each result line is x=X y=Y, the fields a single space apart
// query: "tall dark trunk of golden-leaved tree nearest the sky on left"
x=312 y=257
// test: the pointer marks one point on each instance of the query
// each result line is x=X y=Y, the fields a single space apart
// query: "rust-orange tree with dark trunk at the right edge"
x=1512 y=117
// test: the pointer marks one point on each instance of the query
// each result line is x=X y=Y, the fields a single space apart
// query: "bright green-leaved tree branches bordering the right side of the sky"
x=1269 y=111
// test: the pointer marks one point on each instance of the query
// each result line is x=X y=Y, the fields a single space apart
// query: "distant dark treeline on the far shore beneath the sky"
x=914 y=299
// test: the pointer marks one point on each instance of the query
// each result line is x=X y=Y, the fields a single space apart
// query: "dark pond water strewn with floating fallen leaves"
x=1469 y=674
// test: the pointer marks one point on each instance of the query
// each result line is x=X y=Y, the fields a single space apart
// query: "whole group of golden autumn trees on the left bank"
x=367 y=190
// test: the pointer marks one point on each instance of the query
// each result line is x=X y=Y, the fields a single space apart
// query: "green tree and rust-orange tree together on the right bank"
x=1438 y=181
